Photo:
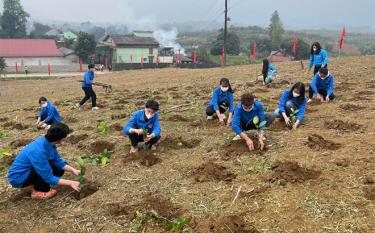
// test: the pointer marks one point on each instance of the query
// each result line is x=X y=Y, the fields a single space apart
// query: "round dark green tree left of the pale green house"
x=85 y=45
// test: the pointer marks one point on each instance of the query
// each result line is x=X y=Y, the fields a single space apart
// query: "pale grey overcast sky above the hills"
x=294 y=13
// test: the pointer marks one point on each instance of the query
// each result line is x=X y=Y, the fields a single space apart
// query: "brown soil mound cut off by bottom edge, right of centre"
x=227 y=224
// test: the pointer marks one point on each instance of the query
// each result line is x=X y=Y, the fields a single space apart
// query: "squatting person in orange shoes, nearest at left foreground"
x=38 y=166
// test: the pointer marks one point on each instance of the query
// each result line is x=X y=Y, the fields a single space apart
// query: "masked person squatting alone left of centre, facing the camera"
x=146 y=120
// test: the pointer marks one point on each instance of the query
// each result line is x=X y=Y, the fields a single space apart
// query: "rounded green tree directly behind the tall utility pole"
x=233 y=43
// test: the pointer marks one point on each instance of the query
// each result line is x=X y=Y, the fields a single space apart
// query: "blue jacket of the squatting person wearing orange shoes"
x=37 y=155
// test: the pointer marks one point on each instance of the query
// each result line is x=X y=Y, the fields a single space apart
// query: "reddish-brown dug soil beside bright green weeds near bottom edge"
x=161 y=205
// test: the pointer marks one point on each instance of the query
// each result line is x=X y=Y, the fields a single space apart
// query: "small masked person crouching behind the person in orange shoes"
x=48 y=114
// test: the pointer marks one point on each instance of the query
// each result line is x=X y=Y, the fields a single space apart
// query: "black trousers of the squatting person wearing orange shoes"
x=39 y=184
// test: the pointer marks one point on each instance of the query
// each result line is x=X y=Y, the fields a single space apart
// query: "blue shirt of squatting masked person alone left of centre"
x=137 y=121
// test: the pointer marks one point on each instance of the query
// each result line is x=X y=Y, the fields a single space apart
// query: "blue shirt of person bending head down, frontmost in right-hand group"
x=246 y=118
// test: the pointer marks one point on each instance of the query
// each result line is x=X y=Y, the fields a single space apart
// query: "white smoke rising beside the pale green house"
x=169 y=39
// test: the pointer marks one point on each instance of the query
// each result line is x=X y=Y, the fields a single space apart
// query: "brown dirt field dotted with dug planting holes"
x=320 y=178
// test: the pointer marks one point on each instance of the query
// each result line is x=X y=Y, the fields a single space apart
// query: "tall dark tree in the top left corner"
x=14 y=19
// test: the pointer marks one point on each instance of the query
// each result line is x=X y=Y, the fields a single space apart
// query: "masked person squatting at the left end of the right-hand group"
x=221 y=101
